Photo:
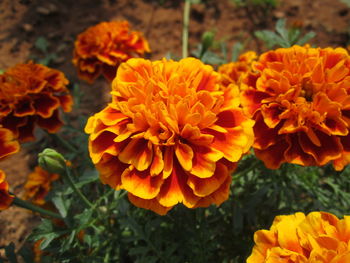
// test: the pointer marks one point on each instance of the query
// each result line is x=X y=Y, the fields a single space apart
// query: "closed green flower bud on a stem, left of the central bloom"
x=52 y=161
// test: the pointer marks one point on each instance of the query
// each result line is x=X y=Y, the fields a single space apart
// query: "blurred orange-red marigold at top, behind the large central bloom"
x=101 y=48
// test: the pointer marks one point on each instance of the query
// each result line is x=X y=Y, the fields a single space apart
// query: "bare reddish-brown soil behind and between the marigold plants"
x=59 y=21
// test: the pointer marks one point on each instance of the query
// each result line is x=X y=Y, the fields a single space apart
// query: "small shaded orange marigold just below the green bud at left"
x=38 y=185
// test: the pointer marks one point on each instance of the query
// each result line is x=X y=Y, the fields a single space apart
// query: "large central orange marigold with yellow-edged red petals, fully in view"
x=172 y=134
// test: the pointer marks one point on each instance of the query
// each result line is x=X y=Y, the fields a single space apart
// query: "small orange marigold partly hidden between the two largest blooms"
x=232 y=73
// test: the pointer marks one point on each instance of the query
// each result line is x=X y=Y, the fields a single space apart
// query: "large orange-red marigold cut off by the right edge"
x=300 y=100
